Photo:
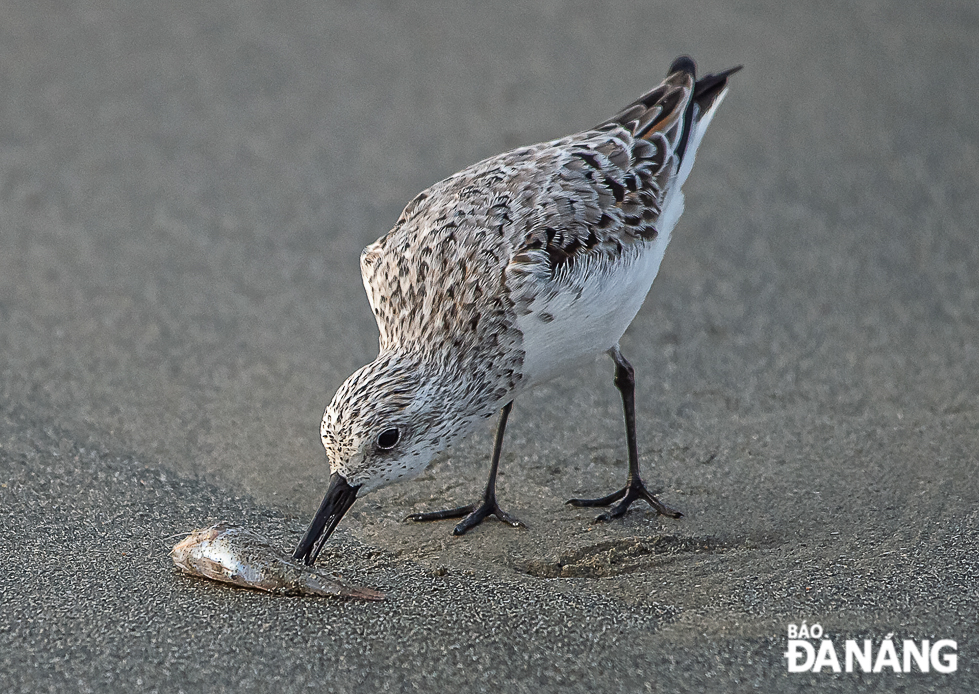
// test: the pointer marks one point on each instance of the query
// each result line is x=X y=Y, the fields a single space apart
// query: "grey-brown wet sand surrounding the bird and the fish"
x=184 y=194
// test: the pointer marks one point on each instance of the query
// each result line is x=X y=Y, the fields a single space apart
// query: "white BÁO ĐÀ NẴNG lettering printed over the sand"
x=808 y=651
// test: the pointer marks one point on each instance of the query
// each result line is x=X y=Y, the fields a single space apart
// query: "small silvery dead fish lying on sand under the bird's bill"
x=232 y=554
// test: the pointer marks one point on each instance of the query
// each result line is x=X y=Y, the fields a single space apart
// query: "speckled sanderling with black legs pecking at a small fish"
x=503 y=276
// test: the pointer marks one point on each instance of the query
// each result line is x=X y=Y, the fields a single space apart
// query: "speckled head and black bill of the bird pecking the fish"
x=385 y=424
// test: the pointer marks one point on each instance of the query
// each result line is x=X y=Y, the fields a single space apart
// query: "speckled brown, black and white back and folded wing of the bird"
x=525 y=212
